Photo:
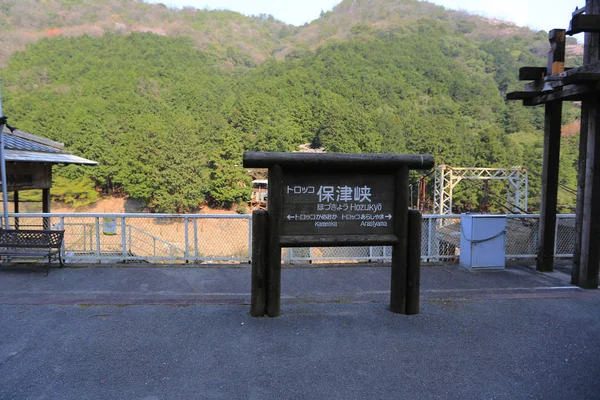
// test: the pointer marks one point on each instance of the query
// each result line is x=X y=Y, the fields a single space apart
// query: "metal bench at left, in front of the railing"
x=31 y=243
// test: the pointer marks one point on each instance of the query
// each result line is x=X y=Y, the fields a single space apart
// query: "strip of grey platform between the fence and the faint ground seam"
x=230 y=284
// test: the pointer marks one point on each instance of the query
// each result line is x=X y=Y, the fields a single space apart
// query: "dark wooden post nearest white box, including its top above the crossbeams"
x=552 y=127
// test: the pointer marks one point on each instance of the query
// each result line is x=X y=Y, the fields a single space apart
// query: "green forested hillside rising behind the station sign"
x=168 y=119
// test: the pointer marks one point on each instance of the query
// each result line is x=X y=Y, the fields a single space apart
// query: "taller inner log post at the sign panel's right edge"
x=399 y=250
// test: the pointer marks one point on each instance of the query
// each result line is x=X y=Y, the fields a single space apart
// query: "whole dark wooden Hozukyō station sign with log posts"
x=335 y=200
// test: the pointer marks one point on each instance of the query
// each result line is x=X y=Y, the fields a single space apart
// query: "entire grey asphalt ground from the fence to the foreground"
x=170 y=333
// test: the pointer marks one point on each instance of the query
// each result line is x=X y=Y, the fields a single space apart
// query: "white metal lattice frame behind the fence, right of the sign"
x=447 y=177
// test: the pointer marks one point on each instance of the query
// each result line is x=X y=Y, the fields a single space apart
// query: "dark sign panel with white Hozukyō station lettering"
x=337 y=204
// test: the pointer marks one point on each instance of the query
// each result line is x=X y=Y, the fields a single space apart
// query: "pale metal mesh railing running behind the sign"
x=208 y=238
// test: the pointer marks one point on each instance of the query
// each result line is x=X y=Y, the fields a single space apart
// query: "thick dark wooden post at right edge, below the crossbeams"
x=590 y=232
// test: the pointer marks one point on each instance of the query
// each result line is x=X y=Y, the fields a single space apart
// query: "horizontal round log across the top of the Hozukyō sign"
x=337 y=160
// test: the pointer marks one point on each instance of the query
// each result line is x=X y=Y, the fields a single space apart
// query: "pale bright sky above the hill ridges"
x=536 y=14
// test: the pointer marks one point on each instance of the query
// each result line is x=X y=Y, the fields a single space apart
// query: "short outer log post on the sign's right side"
x=413 y=262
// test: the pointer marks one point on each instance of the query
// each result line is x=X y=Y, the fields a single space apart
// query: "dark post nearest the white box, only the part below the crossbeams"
x=547 y=233
